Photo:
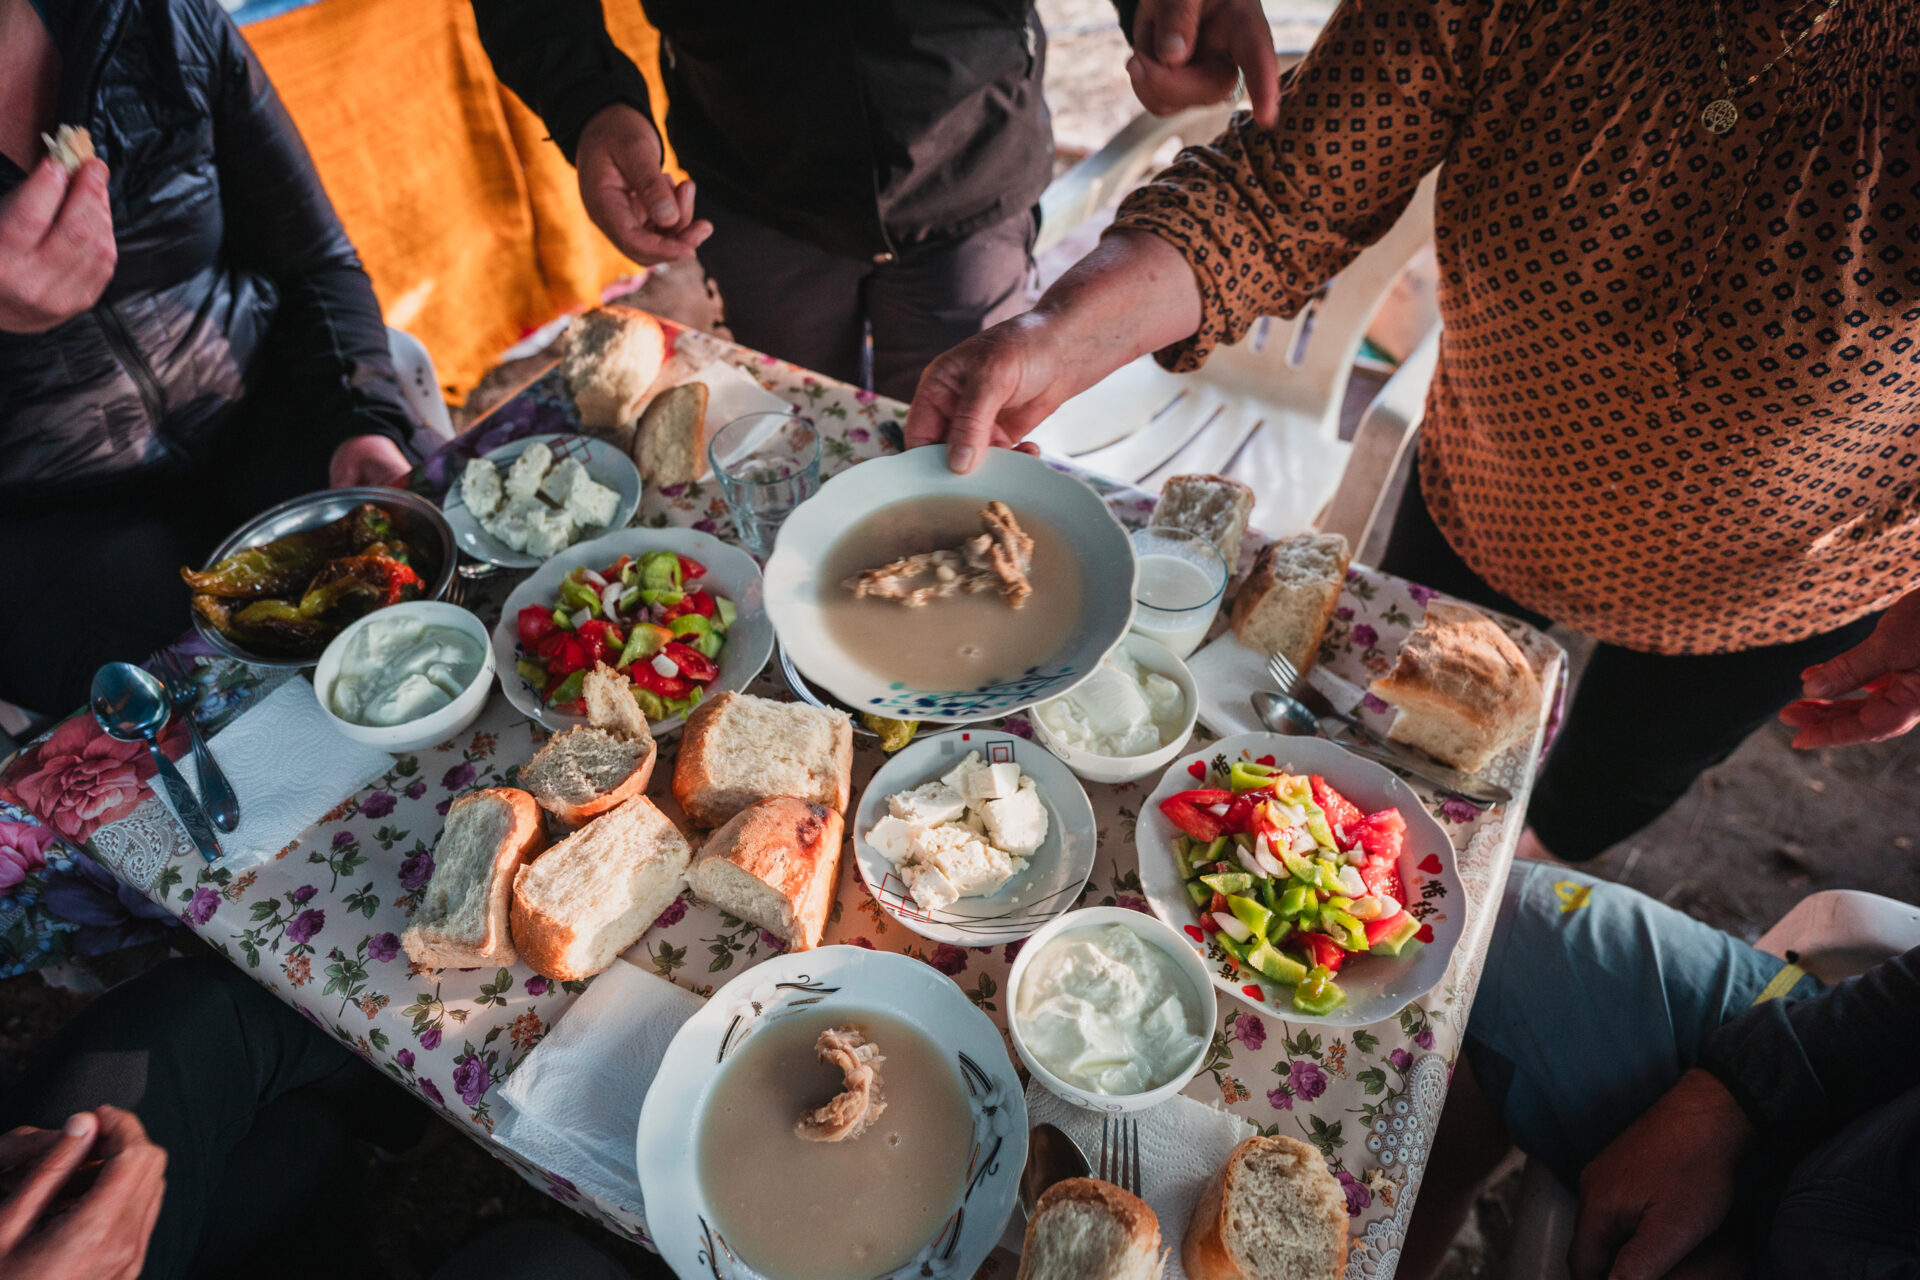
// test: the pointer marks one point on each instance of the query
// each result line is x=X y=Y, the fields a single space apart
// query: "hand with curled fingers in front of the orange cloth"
x=629 y=195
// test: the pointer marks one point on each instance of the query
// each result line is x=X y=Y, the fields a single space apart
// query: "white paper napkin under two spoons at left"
x=287 y=765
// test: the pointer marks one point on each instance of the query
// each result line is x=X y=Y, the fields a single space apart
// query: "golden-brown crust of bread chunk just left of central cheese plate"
x=792 y=847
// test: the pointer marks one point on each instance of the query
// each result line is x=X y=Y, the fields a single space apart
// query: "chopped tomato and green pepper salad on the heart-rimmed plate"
x=1289 y=878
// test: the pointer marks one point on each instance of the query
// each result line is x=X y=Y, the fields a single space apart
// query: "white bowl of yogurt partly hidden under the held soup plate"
x=1128 y=721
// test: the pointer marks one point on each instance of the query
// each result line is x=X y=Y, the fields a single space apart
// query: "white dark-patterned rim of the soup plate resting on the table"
x=667 y=1149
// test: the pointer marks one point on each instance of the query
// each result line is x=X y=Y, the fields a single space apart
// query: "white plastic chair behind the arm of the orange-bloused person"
x=1264 y=412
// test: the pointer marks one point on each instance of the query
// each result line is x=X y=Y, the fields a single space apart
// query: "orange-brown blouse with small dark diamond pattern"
x=1679 y=392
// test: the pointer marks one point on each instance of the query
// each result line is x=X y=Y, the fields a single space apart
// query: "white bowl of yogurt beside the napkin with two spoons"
x=406 y=676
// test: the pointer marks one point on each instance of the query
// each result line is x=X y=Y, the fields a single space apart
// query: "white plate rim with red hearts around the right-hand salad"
x=1378 y=987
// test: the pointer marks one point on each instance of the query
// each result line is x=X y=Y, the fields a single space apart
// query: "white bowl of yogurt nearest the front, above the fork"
x=1111 y=1010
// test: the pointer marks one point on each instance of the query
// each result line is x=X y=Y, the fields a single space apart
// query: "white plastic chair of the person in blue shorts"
x=1831 y=936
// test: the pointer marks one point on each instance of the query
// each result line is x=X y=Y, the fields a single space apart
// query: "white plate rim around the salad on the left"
x=731 y=573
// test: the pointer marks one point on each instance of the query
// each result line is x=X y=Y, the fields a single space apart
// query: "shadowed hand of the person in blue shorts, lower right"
x=1664 y=1187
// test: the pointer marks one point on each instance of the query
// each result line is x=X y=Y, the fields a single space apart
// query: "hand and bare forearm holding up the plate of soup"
x=1130 y=296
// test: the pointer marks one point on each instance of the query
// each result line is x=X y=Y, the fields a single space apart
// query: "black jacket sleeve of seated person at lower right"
x=1806 y=1068
